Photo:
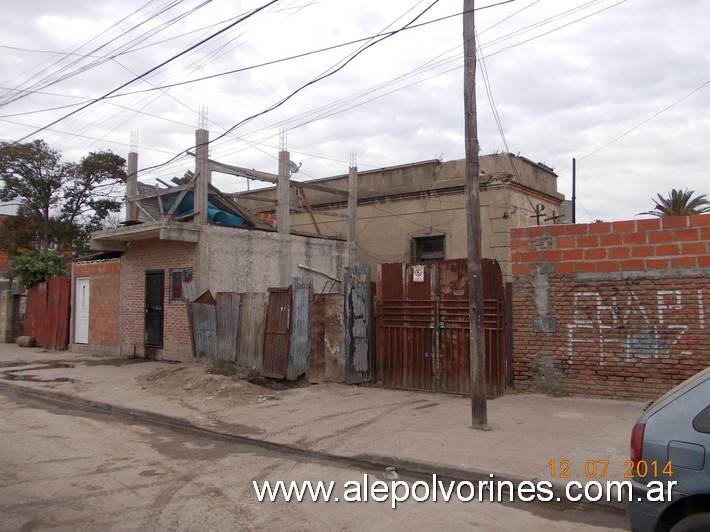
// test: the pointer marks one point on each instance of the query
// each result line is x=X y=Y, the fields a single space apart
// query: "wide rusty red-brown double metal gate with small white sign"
x=423 y=326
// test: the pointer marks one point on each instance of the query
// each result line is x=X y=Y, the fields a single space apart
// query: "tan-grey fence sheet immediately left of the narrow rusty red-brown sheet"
x=252 y=326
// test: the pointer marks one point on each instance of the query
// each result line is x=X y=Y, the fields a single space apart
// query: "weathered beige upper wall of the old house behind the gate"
x=423 y=199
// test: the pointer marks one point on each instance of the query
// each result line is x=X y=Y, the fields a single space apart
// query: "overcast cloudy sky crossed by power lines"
x=622 y=86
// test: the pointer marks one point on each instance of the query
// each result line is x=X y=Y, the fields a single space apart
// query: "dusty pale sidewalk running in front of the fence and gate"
x=419 y=431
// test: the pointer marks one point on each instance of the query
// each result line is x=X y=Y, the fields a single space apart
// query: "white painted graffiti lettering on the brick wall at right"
x=622 y=327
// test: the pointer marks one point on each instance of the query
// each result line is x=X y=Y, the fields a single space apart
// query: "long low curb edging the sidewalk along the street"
x=369 y=461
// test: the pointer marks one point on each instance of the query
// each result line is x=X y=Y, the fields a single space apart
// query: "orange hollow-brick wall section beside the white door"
x=104 y=300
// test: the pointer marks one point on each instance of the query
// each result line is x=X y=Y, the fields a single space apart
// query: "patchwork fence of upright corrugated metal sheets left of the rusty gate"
x=289 y=332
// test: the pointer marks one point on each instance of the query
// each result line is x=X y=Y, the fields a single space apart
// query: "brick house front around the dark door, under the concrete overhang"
x=155 y=255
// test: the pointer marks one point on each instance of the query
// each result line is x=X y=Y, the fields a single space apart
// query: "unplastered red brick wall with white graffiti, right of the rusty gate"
x=618 y=309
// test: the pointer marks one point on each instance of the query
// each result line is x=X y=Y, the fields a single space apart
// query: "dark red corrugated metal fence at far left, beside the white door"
x=47 y=316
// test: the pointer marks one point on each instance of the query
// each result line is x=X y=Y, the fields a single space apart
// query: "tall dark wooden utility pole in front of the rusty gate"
x=477 y=354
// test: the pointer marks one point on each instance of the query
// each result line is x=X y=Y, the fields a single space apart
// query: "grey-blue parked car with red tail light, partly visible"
x=671 y=443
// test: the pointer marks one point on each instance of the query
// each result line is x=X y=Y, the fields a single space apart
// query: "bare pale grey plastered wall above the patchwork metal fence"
x=236 y=260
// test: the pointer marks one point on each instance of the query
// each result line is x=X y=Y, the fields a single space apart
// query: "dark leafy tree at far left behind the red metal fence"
x=59 y=203
